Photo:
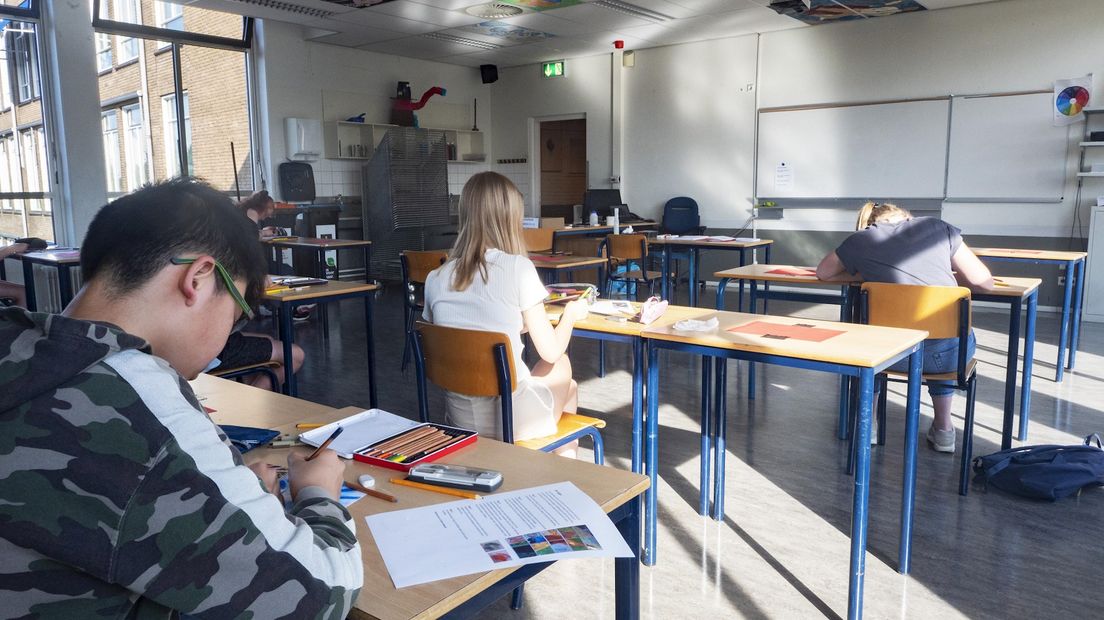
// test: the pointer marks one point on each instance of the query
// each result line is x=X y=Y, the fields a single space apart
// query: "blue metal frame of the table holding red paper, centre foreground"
x=862 y=487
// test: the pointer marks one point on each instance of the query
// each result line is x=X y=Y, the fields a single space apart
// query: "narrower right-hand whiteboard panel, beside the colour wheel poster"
x=1006 y=148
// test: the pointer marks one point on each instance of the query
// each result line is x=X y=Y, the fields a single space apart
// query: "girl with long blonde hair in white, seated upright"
x=490 y=284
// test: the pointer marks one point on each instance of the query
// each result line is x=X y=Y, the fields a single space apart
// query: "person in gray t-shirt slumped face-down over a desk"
x=893 y=247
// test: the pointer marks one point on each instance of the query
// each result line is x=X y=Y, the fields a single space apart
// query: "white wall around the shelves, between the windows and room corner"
x=304 y=80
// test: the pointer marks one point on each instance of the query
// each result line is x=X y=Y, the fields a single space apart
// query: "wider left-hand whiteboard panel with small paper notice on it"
x=895 y=151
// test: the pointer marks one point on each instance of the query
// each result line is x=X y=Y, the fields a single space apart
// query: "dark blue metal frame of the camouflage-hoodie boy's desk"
x=628 y=573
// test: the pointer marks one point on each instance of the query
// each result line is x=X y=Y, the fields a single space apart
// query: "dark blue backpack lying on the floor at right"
x=1044 y=473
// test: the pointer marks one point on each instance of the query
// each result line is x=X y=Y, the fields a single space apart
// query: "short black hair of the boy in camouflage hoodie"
x=134 y=238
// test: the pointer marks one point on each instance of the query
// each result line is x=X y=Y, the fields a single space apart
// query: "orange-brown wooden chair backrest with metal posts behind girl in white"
x=472 y=362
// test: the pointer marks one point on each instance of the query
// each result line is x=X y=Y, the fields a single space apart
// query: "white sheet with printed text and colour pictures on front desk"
x=502 y=531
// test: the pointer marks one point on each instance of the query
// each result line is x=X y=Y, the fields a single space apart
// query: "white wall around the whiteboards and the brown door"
x=689 y=127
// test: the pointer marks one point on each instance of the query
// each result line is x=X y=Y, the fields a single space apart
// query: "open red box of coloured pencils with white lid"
x=366 y=432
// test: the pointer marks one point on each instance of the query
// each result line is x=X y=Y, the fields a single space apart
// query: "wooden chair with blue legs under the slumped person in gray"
x=943 y=313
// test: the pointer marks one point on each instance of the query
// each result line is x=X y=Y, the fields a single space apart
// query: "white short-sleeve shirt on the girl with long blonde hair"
x=513 y=287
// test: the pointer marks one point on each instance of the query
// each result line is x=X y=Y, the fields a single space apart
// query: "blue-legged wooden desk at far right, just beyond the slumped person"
x=1069 y=332
